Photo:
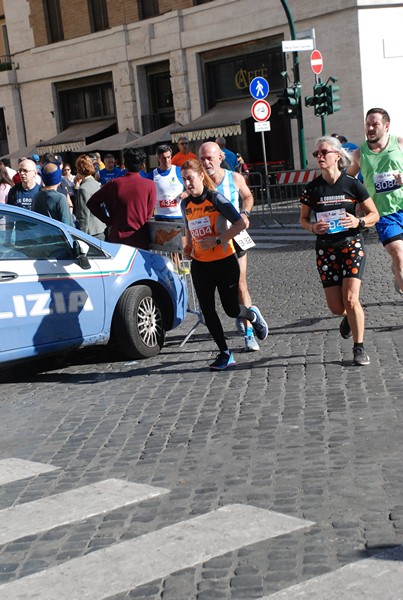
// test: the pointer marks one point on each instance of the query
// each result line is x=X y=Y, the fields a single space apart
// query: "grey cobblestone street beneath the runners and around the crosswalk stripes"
x=294 y=429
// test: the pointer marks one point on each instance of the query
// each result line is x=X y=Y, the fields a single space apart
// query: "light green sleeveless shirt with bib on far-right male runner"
x=377 y=169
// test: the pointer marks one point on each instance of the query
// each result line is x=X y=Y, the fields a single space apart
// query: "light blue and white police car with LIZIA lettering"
x=61 y=288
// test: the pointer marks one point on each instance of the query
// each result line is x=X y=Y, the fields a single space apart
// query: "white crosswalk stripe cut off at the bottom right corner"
x=377 y=578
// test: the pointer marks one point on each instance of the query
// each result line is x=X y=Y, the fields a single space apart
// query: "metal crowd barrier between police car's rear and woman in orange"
x=166 y=239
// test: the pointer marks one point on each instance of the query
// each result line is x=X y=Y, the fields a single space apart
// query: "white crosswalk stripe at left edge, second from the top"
x=41 y=515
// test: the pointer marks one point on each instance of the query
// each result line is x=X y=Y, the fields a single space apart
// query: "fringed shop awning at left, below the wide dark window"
x=74 y=138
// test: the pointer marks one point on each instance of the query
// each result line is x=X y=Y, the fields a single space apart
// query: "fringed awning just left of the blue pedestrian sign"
x=223 y=120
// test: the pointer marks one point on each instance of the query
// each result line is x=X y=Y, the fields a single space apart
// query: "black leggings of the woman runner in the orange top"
x=222 y=275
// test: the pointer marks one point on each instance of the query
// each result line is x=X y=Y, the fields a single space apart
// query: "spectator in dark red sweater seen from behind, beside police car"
x=126 y=204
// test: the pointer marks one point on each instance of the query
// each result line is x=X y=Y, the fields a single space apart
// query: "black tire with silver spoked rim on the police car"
x=138 y=328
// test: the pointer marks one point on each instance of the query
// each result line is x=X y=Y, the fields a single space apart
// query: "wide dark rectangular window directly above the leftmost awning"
x=85 y=103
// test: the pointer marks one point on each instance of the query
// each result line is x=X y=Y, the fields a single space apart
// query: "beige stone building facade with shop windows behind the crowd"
x=101 y=66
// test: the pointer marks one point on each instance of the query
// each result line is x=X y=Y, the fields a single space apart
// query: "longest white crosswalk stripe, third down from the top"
x=127 y=565
